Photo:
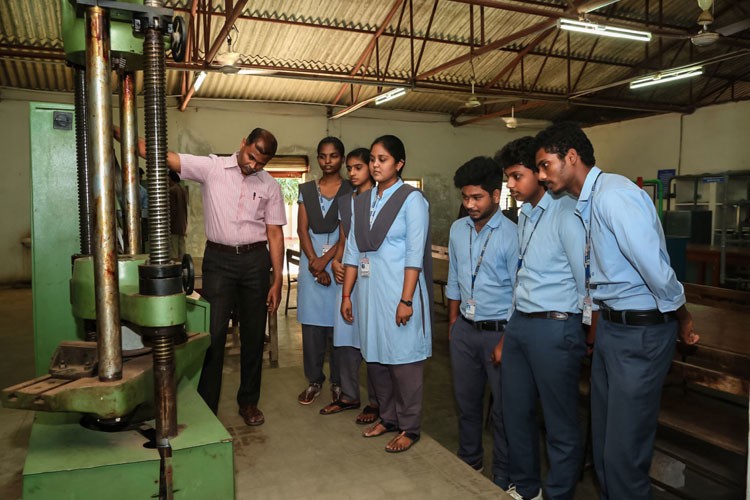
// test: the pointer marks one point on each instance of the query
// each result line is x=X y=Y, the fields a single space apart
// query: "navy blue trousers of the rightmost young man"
x=627 y=373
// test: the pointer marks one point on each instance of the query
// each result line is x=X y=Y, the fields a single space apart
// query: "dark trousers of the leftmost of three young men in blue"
x=471 y=352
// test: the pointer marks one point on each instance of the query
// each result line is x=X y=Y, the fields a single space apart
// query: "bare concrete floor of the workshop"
x=296 y=454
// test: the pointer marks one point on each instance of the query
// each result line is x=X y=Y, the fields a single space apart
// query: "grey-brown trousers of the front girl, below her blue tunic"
x=399 y=391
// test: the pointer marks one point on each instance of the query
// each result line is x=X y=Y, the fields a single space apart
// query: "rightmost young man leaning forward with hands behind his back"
x=641 y=307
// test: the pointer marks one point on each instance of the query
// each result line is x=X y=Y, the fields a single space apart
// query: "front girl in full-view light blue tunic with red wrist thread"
x=388 y=257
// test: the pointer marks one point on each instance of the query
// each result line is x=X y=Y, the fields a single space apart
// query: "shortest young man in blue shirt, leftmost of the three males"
x=482 y=263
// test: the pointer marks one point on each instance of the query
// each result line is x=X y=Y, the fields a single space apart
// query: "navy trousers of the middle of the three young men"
x=543 y=356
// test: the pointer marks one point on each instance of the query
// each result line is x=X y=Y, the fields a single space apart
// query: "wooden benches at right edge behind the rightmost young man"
x=705 y=397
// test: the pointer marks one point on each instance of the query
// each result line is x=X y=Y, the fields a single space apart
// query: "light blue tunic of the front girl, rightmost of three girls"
x=378 y=295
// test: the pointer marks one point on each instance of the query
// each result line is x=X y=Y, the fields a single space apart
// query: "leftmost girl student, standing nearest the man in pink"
x=318 y=230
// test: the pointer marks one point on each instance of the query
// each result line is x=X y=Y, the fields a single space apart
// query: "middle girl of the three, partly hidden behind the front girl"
x=346 y=344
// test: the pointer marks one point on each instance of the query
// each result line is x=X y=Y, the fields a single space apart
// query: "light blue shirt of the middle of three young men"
x=552 y=239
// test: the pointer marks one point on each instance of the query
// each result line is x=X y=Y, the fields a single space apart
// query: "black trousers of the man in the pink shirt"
x=235 y=283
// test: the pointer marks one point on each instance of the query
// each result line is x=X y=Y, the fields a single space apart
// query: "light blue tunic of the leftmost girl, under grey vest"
x=315 y=301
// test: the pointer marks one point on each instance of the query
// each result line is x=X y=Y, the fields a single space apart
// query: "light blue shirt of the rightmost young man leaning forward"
x=630 y=267
